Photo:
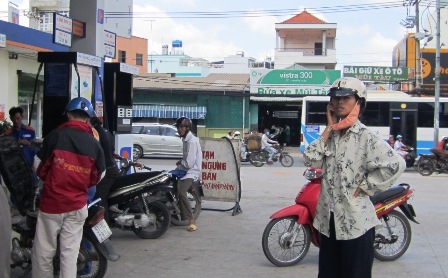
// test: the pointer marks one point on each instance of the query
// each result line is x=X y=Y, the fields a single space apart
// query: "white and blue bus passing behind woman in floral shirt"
x=387 y=113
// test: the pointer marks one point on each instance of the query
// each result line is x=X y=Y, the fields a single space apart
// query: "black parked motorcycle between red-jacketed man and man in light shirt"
x=132 y=207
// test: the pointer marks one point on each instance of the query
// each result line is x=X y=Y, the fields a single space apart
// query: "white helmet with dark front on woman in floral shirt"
x=347 y=86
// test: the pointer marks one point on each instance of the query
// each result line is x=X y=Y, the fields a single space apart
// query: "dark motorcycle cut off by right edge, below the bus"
x=430 y=163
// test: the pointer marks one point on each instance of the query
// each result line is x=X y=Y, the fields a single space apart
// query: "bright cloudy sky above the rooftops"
x=365 y=36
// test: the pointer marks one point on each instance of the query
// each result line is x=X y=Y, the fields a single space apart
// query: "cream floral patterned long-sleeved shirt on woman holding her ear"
x=358 y=159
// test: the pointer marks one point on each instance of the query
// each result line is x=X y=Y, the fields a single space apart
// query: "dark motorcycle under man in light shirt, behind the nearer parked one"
x=163 y=187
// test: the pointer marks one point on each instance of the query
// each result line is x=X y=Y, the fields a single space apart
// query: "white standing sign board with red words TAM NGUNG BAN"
x=220 y=170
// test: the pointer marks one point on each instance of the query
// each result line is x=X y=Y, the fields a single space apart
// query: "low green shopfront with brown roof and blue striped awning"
x=216 y=103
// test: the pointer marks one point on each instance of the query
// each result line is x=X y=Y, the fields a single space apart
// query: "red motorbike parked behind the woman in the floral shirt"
x=287 y=237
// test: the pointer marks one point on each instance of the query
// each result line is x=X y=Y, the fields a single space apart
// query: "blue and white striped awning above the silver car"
x=168 y=111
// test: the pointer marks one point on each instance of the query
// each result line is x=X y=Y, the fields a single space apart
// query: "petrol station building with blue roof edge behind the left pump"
x=19 y=67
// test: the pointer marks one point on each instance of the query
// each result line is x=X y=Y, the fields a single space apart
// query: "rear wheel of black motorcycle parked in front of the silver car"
x=160 y=216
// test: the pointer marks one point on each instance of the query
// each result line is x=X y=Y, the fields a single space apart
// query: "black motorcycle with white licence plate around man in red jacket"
x=95 y=248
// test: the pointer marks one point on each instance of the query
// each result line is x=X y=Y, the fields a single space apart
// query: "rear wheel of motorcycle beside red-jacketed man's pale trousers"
x=91 y=262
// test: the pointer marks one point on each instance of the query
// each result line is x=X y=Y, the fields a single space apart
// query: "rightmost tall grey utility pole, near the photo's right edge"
x=437 y=77
